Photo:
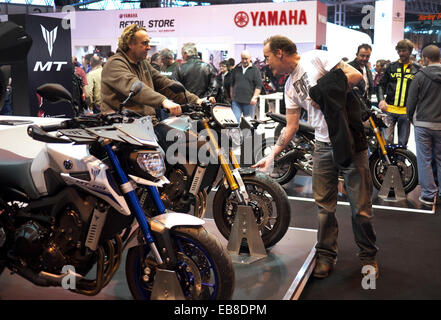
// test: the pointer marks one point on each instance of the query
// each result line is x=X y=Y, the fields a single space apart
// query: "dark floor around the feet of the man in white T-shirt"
x=409 y=241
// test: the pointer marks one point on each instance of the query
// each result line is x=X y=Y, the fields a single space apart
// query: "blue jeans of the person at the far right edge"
x=428 y=147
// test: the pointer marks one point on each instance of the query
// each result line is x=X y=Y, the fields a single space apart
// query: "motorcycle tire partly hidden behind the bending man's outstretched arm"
x=282 y=173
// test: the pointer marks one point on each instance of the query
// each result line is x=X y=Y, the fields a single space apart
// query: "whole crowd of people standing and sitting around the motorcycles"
x=317 y=82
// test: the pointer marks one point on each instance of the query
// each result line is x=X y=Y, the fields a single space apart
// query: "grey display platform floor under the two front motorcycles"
x=276 y=277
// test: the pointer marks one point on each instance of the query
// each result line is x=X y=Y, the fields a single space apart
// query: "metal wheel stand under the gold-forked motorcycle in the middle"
x=245 y=227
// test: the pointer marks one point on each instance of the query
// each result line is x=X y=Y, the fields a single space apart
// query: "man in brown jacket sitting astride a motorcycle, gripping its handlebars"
x=128 y=65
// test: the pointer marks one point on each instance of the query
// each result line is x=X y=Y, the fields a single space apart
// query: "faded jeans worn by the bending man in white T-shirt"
x=358 y=185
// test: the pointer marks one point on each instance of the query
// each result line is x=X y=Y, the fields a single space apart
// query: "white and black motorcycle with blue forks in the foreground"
x=75 y=207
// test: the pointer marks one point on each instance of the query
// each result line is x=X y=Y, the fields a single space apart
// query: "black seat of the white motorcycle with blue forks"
x=15 y=172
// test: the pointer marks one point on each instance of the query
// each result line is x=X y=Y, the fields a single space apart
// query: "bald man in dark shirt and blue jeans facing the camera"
x=246 y=84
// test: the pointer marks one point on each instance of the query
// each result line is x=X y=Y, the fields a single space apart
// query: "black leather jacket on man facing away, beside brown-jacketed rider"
x=197 y=77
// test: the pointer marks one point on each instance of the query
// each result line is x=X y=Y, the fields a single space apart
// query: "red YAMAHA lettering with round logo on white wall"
x=270 y=18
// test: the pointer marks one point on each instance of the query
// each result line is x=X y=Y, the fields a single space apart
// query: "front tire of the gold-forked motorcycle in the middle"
x=269 y=202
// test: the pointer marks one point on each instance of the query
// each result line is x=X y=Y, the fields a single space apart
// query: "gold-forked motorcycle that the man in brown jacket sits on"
x=191 y=181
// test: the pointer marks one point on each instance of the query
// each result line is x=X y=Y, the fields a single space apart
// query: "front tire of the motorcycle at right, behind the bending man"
x=406 y=162
